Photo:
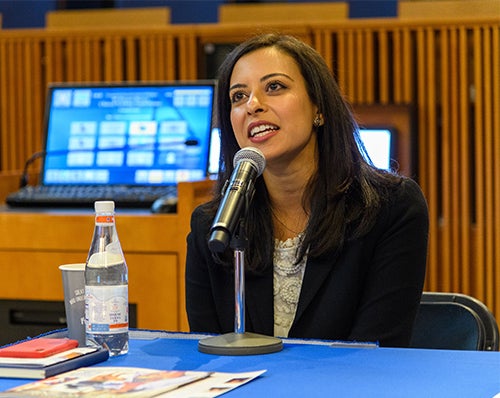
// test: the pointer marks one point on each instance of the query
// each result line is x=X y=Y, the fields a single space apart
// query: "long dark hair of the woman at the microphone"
x=344 y=194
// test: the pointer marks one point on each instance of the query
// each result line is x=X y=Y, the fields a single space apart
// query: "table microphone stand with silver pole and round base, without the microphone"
x=239 y=342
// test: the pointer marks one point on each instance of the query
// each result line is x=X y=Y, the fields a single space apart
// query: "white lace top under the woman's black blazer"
x=287 y=283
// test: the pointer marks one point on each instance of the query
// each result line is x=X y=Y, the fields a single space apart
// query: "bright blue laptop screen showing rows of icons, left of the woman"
x=128 y=134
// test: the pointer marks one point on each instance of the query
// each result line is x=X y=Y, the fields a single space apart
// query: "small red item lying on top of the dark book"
x=38 y=348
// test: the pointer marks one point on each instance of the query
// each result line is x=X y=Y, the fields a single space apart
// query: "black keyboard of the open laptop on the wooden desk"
x=85 y=196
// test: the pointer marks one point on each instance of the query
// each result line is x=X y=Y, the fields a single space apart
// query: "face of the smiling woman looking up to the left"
x=271 y=109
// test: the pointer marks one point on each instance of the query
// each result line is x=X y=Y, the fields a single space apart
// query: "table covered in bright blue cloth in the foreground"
x=303 y=369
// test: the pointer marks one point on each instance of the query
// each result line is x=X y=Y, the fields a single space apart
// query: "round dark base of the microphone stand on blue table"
x=240 y=344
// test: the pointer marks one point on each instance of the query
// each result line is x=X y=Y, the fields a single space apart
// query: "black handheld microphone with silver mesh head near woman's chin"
x=249 y=163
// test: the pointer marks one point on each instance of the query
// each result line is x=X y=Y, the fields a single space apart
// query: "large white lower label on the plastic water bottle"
x=106 y=309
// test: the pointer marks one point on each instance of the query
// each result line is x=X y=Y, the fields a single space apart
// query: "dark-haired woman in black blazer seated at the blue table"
x=337 y=249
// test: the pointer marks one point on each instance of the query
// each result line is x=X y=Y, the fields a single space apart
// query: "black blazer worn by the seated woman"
x=370 y=292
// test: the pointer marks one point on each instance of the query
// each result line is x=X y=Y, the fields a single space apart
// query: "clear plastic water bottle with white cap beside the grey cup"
x=106 y=285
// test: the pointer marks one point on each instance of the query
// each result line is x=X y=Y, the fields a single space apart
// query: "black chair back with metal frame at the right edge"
x=454 y=321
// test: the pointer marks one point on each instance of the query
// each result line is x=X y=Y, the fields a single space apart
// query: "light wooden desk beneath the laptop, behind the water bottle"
x=33 y=243
